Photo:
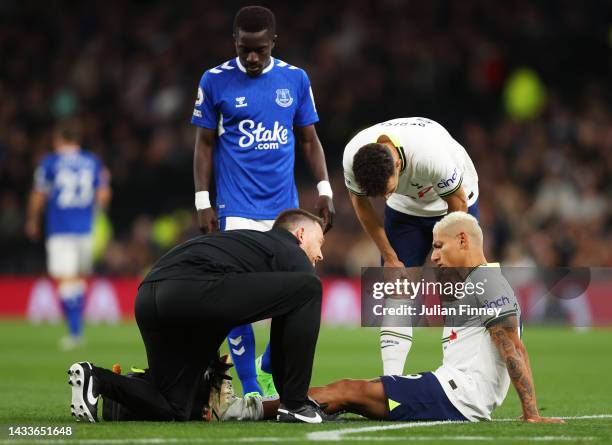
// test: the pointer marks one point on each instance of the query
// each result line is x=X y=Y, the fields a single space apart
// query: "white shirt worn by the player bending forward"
x=434 y=165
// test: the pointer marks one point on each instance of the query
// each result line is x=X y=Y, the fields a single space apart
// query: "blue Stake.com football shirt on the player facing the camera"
x=254 y=155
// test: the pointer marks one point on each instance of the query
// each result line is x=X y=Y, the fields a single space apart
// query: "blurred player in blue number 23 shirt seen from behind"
x=69 y=183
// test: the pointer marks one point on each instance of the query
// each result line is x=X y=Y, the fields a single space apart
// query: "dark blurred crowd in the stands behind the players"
x=525 y=86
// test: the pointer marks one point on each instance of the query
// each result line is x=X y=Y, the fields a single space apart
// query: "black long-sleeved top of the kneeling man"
x=210 y=256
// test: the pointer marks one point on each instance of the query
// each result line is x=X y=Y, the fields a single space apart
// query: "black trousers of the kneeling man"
x=183 y=324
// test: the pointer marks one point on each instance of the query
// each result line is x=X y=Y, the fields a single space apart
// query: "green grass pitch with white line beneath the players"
x=572 y=373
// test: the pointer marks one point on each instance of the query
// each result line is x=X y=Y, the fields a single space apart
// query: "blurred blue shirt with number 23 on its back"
x=70 y=181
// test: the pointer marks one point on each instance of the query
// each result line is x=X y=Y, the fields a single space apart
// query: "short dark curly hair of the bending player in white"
x=373 y=166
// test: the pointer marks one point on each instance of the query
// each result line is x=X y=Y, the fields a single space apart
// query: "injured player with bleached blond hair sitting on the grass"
x=481 y=355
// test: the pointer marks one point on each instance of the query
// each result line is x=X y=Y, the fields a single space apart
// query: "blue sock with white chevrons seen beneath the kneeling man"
x=241 y=341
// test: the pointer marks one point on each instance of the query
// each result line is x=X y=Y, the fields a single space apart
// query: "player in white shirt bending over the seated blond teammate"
x=423 y=173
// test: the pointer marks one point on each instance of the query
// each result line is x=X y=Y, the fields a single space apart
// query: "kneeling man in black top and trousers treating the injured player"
x=194 y=295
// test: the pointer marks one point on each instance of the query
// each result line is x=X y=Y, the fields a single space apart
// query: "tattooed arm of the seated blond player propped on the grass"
x=505 y=335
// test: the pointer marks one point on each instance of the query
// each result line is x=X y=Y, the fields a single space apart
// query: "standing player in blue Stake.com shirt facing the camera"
x=249 y=113
